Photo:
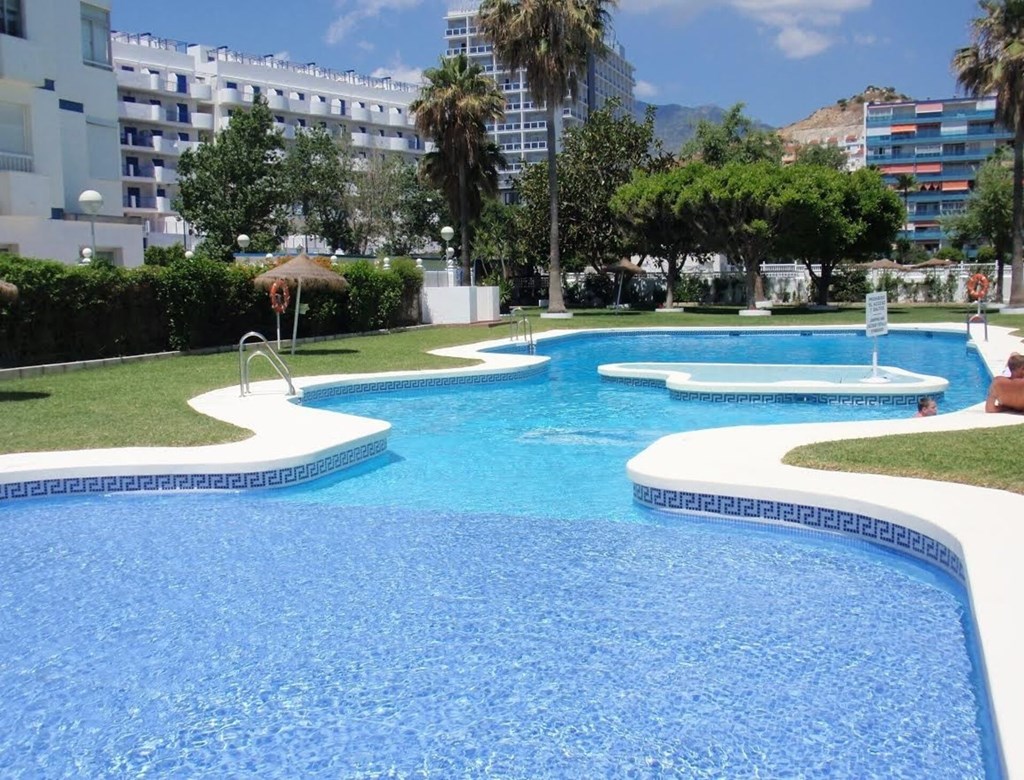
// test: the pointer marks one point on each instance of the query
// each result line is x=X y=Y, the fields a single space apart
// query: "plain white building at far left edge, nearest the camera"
x=59 y=133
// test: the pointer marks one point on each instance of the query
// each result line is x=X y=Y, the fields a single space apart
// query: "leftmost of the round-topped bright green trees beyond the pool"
x=652 y=224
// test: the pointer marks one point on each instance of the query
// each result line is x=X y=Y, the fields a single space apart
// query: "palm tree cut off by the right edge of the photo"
x=994 y=64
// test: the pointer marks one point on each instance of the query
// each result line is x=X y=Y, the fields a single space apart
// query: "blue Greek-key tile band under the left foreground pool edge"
x=225 y=482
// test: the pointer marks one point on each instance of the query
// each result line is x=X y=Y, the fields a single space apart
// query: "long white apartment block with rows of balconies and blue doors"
x=173 y=96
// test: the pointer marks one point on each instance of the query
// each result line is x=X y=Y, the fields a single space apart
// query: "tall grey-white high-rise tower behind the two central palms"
x=522 y=137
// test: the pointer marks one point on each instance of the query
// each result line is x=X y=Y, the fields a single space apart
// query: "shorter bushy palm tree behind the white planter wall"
x=453 y=109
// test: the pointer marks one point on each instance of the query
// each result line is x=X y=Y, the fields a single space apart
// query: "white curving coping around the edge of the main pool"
x=985 y=527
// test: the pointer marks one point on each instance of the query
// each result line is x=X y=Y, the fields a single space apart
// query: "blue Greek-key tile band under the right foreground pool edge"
x=872 y=530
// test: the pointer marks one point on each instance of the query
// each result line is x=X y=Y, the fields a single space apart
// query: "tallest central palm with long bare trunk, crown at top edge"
x=551 y=41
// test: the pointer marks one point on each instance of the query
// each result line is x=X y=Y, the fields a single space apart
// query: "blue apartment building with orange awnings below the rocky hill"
x=942 y=145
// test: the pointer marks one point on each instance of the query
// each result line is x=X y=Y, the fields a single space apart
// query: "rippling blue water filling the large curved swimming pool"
x=486 y=601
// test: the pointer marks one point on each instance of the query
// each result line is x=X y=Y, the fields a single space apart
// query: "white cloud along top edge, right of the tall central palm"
x=801 y=27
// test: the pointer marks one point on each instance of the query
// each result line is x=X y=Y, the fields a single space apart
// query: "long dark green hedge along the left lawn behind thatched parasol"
x=66 y=313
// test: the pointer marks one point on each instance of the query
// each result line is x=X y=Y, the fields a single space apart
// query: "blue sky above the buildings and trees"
x=783 y=59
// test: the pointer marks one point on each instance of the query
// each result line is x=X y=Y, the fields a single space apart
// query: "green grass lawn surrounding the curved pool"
x=146 y=404
